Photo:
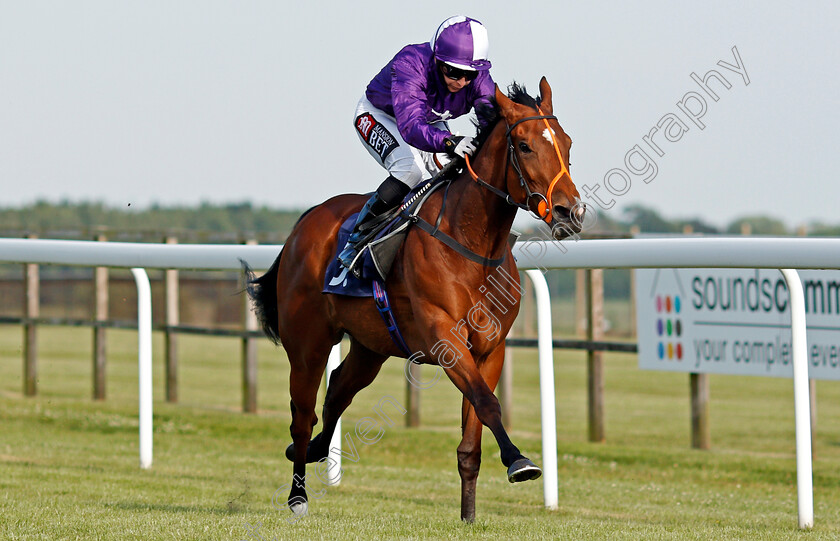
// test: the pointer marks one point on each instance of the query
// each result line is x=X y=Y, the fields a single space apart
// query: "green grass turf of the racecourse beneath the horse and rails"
x=69 y=467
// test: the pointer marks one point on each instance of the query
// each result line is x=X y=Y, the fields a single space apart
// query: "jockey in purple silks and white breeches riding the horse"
x=401 y=119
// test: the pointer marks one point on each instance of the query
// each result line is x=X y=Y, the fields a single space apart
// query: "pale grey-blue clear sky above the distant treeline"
x=179 y=103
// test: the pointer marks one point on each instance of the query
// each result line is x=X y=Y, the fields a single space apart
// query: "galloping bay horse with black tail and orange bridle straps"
x=440 y=299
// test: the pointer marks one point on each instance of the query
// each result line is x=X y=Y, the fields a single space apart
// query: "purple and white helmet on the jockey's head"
x=462 y=42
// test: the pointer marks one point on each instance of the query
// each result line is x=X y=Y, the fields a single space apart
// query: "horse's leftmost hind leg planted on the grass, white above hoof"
x=304 y=379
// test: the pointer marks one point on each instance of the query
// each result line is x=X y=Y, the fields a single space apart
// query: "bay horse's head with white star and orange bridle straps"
x=539 y=158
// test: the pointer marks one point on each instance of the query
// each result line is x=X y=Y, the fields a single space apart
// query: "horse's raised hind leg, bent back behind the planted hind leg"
x=359 y=369
